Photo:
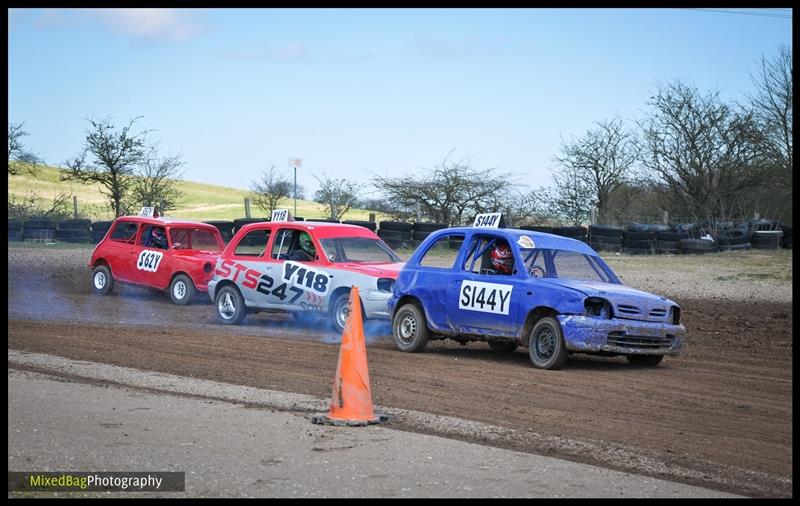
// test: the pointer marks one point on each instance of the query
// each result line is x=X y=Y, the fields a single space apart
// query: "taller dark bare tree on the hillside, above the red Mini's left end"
x=110 y=158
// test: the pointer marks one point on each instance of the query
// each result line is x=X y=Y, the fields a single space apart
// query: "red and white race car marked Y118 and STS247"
x=305 y=267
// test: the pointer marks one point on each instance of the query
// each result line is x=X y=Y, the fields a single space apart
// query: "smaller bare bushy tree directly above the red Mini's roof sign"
x=155 y=184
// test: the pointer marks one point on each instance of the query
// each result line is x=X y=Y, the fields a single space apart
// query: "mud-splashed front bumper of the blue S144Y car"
x=617 y=335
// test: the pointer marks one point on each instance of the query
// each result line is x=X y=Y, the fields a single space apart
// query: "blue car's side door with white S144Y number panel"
x=483 y=299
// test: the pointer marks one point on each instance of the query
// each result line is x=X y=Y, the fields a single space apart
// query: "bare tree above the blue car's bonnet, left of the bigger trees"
x=604 y=157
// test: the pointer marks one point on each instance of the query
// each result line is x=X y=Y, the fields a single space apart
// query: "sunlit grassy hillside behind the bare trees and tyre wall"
x=200 y=201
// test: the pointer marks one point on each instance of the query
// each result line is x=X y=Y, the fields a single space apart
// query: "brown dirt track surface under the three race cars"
x=723 y=408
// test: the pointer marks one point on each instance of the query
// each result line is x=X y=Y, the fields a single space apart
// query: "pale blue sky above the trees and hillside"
x=360 y=93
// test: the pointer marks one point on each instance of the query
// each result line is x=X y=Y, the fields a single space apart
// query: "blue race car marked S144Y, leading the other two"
x=515 y=287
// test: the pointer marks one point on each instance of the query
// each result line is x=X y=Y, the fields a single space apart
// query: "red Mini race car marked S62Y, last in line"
x=162 y=253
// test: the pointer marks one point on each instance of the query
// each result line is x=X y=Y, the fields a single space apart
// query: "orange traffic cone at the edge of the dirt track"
x=352 y=399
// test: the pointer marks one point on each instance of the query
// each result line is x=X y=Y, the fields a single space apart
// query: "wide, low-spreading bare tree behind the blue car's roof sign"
x=452 y=194
